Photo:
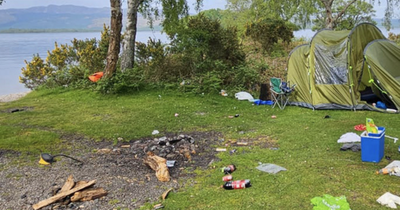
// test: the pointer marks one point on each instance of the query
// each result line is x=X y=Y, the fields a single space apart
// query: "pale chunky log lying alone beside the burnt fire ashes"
x=159 y=165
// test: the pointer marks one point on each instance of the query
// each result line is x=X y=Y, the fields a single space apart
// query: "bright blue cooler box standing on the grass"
x=373 y=146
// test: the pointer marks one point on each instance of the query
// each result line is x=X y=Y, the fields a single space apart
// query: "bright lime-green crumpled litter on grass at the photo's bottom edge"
x=329 y=202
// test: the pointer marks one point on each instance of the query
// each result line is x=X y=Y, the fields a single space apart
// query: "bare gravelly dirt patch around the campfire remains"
x=119 y=169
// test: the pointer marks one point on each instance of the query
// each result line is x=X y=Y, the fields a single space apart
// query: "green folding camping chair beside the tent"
x=280 y=92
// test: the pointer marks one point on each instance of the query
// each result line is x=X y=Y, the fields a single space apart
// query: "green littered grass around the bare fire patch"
x=306 y=141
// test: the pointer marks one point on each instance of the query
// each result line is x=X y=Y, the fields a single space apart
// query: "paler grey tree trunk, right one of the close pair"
x=128 y=44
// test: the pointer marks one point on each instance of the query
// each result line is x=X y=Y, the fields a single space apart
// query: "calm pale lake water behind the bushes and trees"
x=15 y=48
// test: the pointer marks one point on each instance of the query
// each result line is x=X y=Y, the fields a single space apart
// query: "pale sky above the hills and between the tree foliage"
x=207 y=4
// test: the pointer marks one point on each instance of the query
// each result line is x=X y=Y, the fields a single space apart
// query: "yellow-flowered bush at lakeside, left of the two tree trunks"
x=67 y=64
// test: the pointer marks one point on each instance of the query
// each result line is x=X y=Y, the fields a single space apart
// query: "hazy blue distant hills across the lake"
x=59 y=18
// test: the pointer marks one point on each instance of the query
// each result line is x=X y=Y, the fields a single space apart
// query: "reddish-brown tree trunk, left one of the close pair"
x=115 y=38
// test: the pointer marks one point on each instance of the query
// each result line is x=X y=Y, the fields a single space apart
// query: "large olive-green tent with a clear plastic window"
x=331 y=73
